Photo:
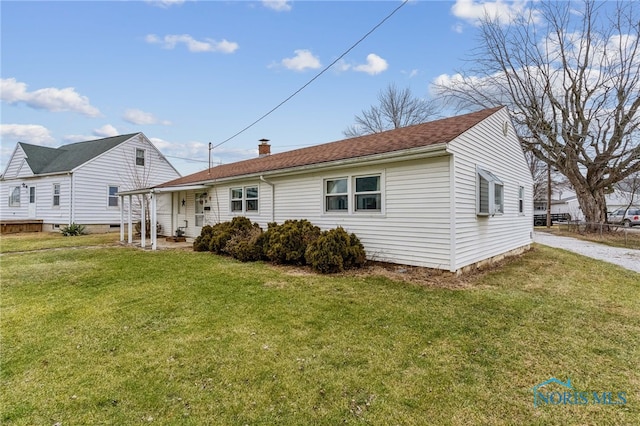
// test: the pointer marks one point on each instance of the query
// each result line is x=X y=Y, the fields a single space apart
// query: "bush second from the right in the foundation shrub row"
x=287 y=243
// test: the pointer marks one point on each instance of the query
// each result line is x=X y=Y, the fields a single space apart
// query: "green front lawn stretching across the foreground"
x=119 y=336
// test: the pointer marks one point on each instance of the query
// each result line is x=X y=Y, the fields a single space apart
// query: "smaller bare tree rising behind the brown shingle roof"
x=397 y=108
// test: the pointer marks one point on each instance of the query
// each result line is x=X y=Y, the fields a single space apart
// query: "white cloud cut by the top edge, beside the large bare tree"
x=474 y=10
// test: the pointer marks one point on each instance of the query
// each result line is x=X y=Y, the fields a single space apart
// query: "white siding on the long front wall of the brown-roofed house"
x=412 y=229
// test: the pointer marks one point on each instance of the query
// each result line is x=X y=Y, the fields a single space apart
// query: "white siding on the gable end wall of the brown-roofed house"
x=477 y=237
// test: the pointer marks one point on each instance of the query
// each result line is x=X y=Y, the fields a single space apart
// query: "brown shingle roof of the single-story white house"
x=419 y=135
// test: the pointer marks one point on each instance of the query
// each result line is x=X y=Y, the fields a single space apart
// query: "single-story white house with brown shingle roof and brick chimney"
x=445 y=194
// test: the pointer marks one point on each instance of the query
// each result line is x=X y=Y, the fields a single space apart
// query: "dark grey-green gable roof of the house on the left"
x=43 y=160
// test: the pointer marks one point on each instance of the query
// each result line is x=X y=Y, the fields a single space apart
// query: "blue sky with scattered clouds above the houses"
x=186 y=73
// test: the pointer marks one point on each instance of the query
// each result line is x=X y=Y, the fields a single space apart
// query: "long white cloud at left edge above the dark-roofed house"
x=50 y=99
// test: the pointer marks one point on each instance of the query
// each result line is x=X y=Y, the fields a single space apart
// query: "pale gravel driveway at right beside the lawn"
x=627 y=258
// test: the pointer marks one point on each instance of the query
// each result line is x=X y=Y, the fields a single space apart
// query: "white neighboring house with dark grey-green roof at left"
x=79 y=182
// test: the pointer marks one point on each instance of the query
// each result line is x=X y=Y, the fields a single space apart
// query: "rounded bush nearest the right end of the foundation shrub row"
x=334 y=251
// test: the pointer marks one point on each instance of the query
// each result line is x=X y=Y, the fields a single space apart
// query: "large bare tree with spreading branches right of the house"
x=570 y=74
